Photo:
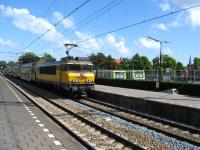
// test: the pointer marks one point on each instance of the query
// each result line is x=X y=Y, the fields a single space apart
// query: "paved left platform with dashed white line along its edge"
x=24 y=127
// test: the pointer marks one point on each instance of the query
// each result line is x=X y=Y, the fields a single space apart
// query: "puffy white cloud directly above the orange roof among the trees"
x=118 y=44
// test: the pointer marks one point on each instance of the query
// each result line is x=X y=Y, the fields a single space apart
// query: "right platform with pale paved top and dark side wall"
x=175 y=107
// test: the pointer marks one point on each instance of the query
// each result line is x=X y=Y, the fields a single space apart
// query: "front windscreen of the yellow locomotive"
x=77 y=67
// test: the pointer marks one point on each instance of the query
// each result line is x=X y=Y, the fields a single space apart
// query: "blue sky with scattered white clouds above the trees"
x=23 y=21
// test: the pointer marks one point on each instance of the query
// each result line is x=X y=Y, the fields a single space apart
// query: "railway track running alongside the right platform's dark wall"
x=178 y=131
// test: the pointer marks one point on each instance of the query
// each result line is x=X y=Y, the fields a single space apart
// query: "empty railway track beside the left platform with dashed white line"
x=88 y=133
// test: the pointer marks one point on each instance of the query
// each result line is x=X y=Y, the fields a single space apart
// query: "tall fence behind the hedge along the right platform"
x=192 y=76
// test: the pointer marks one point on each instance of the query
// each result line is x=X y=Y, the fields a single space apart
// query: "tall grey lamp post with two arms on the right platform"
x=160 y=57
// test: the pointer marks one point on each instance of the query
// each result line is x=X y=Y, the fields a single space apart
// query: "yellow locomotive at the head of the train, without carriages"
x=74 y=76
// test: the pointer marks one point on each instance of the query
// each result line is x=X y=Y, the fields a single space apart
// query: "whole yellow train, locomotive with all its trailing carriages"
x=74 y=76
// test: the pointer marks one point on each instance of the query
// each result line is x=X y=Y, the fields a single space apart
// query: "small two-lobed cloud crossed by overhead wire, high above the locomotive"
x=67 y=23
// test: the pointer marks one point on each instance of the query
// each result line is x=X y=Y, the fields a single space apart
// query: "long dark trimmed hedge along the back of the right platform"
x=183 y=88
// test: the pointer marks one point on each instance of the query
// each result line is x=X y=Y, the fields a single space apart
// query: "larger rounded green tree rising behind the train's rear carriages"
x=27 y=58
